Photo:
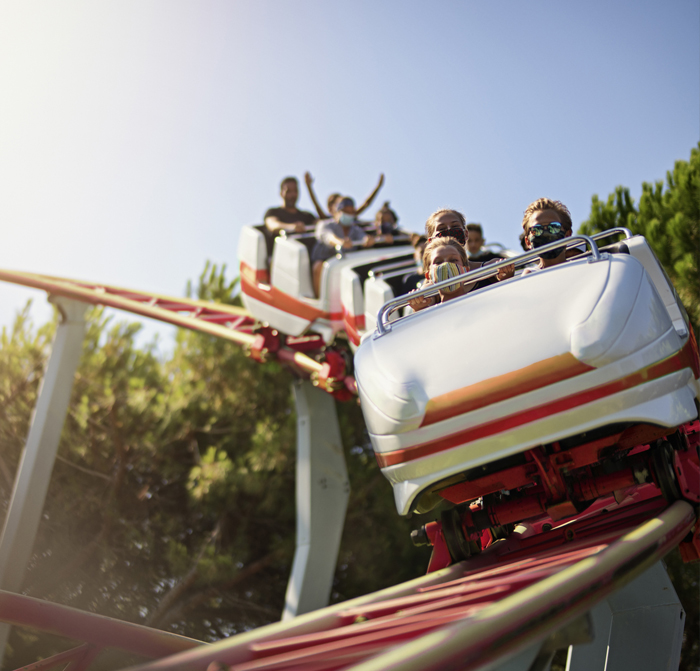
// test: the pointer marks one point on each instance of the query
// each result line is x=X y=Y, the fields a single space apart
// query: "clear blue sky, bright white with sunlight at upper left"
x=137 y=137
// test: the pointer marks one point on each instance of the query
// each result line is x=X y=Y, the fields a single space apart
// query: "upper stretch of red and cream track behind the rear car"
x=217 y=319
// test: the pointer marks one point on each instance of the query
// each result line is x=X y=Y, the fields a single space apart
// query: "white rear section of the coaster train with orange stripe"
x=353 y=286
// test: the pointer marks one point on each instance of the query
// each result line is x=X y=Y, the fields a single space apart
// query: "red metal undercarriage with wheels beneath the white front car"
x=554 y=484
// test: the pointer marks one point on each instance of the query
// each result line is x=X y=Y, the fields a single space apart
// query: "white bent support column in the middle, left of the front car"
x=323 y=489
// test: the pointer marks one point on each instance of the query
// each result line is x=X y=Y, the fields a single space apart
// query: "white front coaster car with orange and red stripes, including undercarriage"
x=537 y=395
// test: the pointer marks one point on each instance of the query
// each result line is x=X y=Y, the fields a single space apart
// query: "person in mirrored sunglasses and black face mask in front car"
x=546 y=221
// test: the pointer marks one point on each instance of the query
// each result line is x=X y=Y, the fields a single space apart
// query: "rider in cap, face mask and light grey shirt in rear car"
x=341 y=231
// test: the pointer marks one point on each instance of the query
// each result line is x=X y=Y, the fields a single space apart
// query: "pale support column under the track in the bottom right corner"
x=639 y=627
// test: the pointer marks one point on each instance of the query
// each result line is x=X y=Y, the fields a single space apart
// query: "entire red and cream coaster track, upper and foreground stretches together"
x=523 y=591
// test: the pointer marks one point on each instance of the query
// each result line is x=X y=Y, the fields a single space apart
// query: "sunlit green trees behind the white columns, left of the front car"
x=172 y=498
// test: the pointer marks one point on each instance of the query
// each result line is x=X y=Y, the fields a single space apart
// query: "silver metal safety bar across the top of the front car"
x=481 y=273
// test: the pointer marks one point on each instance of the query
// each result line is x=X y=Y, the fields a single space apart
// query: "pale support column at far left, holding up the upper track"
x=38 y=456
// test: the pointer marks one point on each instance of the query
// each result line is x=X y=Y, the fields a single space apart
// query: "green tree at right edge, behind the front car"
x=669 y=218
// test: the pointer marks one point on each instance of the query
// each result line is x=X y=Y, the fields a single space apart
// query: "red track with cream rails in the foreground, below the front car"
x=496 y=604
